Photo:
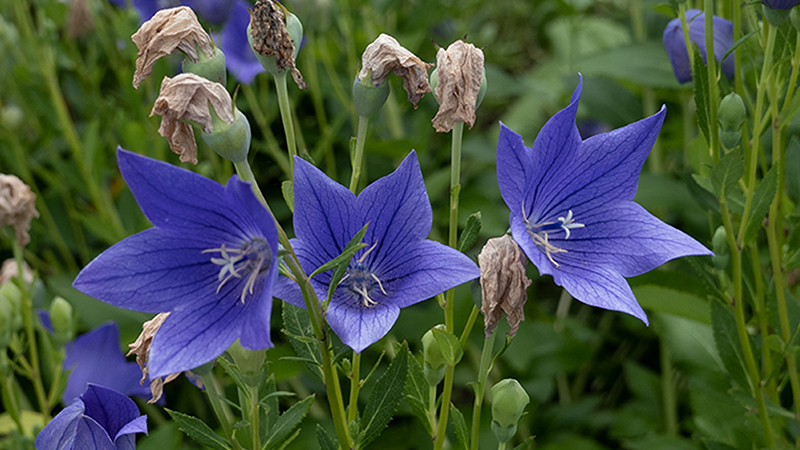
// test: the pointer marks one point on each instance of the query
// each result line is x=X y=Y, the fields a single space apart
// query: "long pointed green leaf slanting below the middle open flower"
x=385 y=396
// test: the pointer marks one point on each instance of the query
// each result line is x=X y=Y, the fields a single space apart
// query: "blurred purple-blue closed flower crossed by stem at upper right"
x=675 y=44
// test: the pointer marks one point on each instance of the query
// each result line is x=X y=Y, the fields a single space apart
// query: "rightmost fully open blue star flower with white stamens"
x=572 y=210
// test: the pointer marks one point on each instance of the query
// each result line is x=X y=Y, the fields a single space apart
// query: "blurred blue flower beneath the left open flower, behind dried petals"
x=96 y=357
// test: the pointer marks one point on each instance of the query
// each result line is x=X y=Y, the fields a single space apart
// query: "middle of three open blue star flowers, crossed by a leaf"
x=397 y=268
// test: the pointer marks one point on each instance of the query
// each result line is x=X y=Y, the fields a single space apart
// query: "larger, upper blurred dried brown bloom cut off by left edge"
x=17 y=206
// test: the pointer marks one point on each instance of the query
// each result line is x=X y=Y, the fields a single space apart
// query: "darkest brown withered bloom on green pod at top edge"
x=270 y=34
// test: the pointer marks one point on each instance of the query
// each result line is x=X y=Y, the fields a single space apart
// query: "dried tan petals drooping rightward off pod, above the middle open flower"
x=385 y=55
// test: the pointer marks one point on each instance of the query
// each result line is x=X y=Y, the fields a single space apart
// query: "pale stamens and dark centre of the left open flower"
x=250 y=260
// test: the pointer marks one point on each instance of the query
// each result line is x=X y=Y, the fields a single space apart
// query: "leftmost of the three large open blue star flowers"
x=210 y=261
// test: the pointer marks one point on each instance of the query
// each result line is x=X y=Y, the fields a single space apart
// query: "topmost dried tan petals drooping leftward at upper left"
x=167 y=30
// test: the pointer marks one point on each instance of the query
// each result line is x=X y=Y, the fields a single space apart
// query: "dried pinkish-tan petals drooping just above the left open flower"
x=187 y=97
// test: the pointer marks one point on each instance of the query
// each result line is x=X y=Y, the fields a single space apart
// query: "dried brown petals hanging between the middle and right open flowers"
x=503 y=283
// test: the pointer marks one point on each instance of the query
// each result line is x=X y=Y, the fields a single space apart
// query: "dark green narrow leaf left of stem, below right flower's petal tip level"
x=726 y=338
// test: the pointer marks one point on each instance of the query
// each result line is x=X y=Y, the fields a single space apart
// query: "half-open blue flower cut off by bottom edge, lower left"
x=101 y=419
